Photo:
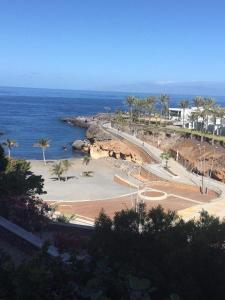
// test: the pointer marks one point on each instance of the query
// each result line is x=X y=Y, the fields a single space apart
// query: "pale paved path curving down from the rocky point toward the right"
x=216 y=207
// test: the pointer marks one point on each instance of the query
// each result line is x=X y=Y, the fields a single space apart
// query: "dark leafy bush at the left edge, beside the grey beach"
x=18 y=190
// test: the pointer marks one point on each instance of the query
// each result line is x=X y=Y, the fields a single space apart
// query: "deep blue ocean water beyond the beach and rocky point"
x=28 y=114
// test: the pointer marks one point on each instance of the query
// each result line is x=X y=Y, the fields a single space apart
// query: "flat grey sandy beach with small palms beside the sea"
x=100 y=186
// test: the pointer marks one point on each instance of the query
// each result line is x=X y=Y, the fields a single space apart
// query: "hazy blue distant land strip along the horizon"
x=190 y=89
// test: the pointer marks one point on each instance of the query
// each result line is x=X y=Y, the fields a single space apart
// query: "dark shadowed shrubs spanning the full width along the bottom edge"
x=137 y=255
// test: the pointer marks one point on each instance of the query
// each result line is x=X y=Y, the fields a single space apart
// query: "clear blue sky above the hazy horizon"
x=111 y=44
